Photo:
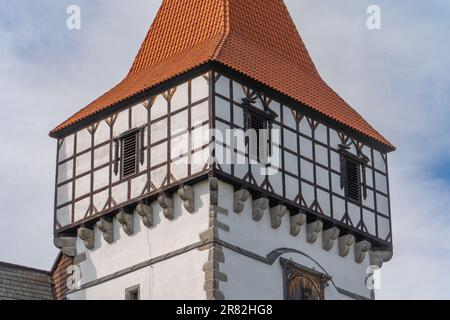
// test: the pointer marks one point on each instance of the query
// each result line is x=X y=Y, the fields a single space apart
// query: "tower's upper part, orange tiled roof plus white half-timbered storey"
x=206 y=65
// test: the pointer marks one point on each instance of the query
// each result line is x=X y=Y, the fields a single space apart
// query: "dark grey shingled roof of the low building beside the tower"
x=23 y=283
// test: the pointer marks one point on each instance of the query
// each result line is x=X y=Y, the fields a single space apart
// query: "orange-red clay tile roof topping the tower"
x=256 y=38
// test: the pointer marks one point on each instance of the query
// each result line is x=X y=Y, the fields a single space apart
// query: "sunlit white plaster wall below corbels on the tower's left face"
x=147 y=243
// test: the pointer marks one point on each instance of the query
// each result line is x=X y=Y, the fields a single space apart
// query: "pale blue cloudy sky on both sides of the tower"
x=396 y=77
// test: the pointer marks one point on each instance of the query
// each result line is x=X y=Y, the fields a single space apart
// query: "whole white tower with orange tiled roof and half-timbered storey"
x=222 y=167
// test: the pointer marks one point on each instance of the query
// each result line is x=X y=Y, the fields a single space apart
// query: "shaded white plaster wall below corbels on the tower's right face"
x=251 y=279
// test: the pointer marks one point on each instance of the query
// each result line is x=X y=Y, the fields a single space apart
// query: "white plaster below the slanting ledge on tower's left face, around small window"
x=178 y=278
